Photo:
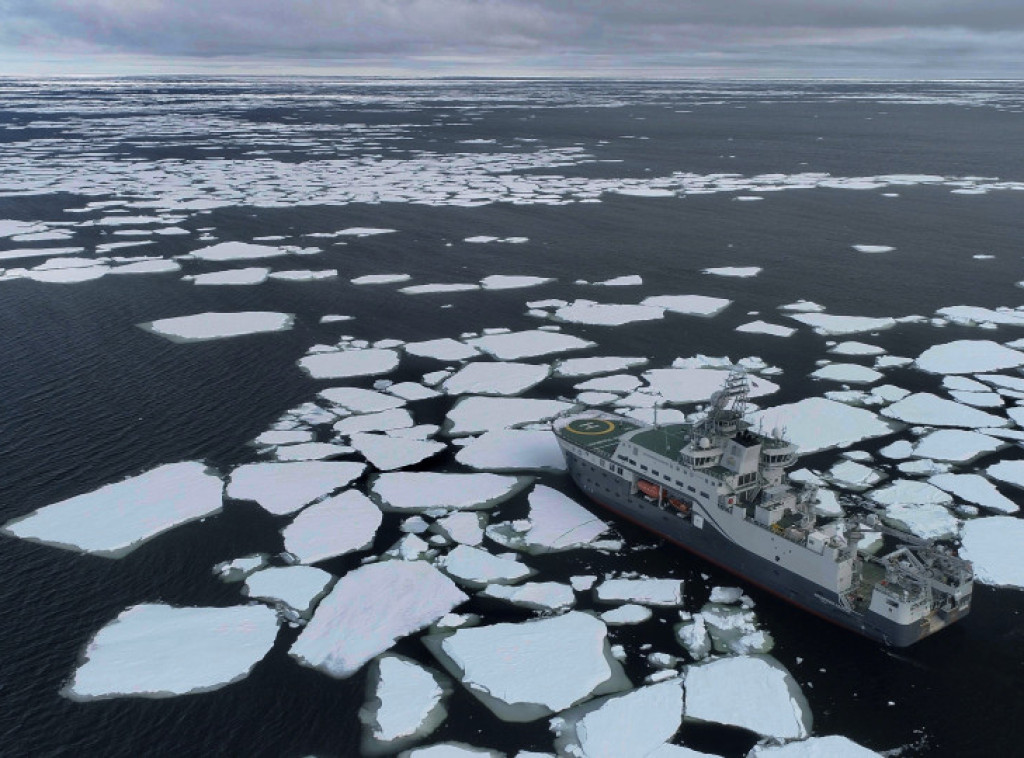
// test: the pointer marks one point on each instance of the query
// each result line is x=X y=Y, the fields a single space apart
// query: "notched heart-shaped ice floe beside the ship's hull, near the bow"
x=556 y=523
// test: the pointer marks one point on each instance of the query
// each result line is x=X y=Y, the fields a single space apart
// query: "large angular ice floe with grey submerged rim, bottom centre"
x=533 y=669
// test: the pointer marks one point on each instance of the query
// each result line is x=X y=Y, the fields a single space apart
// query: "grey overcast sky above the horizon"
x=874 y=39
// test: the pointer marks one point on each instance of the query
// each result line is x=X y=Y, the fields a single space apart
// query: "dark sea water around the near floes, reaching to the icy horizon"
x=87 y=398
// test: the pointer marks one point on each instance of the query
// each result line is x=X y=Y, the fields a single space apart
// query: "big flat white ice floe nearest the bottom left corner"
x=156 y=651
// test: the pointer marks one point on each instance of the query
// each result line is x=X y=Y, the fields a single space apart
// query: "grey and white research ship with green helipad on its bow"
x=719 y=489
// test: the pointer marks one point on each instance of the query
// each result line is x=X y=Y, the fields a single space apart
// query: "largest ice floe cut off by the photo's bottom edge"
x=630 y=726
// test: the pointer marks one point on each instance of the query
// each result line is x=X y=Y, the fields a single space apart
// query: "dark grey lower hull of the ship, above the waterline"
x=614 y=494
